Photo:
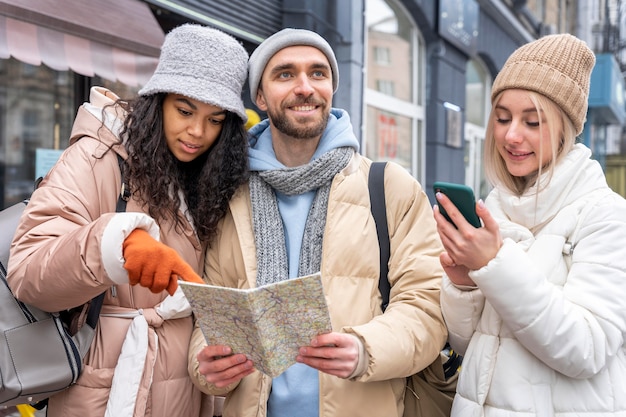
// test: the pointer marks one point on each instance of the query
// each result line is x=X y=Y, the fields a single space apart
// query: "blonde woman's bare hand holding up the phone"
x=467 y=248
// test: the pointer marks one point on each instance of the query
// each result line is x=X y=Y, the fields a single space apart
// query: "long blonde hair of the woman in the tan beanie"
x=562 y=135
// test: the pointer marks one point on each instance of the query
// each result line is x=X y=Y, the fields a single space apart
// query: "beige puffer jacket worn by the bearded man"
x=400 y=342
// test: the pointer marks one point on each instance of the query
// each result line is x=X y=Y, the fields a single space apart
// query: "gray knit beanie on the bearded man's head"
x=283 y=39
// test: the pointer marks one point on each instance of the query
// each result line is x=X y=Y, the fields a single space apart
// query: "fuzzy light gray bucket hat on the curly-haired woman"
x=204 y=64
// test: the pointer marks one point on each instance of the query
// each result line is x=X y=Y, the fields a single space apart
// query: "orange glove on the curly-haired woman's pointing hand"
x=154 y=265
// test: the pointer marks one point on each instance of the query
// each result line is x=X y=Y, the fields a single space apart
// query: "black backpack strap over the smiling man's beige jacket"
x=376 y=185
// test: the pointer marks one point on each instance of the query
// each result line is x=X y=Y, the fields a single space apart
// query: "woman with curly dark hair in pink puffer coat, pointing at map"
x=180 y=151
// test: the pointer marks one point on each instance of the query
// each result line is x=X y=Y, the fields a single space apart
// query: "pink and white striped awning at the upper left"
x=115 y=39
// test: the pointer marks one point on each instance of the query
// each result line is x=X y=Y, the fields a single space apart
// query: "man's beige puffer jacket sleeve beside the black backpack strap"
x=411 y=332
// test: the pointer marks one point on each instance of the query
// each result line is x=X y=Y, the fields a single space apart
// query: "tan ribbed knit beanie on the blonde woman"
x=556 y=66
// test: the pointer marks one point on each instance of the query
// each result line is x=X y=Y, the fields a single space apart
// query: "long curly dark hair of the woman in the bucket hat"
x=157 y=177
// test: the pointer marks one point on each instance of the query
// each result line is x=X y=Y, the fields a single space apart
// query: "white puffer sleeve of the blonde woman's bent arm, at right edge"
x=576 y=329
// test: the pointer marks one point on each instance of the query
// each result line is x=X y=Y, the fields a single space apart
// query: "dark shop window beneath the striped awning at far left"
x=37 y=109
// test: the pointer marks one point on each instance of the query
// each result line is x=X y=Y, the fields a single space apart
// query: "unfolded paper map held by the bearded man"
x=268 y=324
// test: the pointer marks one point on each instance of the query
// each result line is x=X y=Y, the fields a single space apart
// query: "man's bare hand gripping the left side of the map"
x=221 y=368
